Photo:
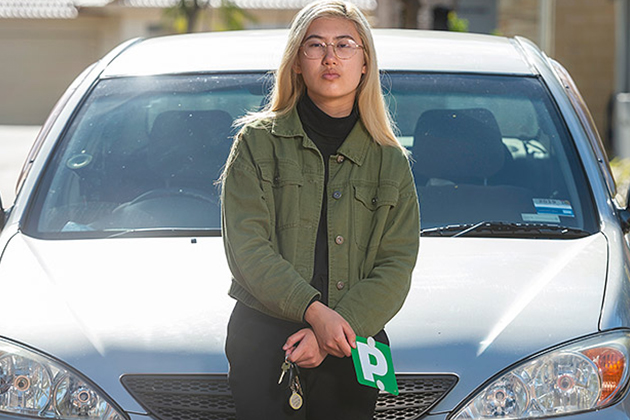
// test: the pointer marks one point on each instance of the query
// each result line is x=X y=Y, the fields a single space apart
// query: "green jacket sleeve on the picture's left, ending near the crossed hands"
x=247 y=231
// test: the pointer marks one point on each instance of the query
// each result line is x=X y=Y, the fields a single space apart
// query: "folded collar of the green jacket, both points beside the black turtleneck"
x=355 y=147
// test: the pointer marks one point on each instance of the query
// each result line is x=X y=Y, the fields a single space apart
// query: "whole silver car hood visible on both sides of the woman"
x=160 y=305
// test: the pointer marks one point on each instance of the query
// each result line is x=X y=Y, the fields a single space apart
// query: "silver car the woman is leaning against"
x=113 y=279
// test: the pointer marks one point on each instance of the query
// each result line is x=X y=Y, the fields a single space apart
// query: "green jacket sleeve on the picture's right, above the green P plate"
x=374 y=300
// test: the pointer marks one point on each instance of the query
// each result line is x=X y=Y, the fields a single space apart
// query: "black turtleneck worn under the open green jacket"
x=328 y=134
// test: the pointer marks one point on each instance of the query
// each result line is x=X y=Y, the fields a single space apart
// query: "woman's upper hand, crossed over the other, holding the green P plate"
x=334 y=334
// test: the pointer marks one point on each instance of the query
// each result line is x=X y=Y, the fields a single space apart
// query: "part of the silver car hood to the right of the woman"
x=478 y=305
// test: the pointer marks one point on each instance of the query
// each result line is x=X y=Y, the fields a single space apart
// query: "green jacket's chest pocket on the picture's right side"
x=371 y=206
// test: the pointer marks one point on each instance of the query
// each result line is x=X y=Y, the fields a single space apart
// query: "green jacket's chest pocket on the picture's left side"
x=282 y=185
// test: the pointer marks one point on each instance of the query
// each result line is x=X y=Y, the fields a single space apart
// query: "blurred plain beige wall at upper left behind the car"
x=39 y=59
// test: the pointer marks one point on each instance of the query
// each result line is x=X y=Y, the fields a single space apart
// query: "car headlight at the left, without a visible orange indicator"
x=35 y=385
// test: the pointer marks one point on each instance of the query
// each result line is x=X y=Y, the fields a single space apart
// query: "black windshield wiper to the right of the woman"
x=506 y=230
